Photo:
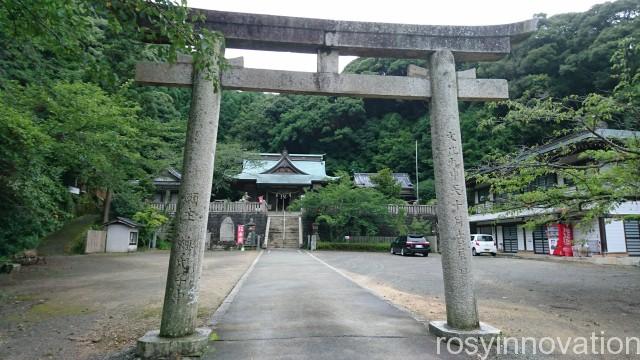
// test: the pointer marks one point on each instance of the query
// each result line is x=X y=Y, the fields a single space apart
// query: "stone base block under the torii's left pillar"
x=152 y=346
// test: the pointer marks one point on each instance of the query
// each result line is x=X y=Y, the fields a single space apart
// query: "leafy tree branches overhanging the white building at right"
x=602 y=178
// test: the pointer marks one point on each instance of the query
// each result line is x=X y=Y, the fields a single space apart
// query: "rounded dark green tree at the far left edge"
x=32 y=202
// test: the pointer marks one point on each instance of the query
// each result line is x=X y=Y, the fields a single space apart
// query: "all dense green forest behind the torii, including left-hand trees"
x=72 y=115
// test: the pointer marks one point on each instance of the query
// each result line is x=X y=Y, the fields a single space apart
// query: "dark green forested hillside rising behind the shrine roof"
x=570 y=54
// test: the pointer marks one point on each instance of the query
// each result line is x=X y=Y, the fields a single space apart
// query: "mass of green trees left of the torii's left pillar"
x=71 y=116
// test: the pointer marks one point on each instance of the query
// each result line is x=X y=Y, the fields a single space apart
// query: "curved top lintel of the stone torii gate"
x=307 y=35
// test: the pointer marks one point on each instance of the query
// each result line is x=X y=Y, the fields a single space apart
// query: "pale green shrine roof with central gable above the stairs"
x=284 y=169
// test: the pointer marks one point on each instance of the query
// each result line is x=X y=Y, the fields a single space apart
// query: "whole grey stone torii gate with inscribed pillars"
x=439 y=84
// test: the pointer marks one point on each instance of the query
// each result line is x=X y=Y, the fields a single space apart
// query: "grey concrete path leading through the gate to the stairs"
x=292 y=306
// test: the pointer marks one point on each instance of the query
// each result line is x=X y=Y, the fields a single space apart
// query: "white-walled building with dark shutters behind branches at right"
x=613 y=233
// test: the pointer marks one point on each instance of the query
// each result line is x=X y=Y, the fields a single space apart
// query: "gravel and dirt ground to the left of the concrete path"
x=95 y=306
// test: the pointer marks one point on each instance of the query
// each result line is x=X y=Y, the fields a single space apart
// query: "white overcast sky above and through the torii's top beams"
x=428 y=12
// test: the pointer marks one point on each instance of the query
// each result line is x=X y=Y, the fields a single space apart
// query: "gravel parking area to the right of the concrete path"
x=521 y=297
